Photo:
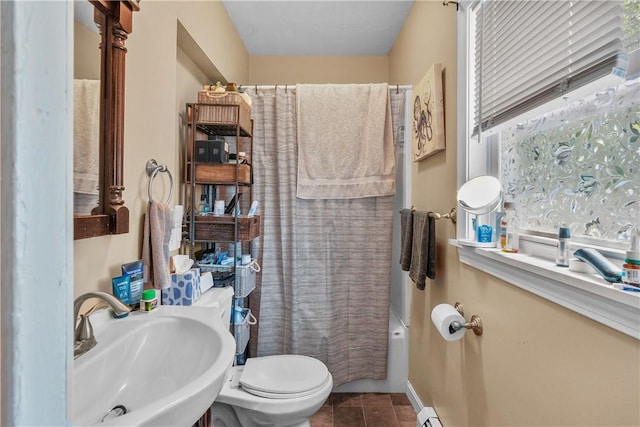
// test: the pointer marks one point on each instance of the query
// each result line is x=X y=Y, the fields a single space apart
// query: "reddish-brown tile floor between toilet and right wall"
x=365 y=410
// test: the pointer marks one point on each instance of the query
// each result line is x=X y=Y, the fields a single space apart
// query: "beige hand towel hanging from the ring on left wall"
x=155 y=245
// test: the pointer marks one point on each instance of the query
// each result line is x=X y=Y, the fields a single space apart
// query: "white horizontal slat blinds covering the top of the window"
x=528 y=52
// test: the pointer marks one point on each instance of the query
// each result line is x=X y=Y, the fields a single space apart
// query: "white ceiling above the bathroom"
x=318 y=27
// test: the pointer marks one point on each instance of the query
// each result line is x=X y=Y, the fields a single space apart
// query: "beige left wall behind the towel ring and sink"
x=153 y=112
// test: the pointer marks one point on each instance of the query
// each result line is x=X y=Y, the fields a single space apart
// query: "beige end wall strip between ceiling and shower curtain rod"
x=269 y=70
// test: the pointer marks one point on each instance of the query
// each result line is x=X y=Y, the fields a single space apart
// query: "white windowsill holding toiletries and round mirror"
x=587 y=294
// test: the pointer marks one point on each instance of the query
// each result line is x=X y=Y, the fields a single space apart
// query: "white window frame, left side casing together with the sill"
x=533 y=268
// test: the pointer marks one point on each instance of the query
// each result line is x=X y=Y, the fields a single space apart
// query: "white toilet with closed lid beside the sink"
x=270 y=391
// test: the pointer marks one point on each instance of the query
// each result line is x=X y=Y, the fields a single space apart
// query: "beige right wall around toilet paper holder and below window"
x=537 y=364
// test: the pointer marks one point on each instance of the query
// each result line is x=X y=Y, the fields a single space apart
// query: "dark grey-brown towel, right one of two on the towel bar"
x=423 y=251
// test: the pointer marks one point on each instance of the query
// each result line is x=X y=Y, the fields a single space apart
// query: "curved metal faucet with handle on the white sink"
x=84 y=337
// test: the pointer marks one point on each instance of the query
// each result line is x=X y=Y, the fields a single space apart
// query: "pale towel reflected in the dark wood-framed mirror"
x=86 y=130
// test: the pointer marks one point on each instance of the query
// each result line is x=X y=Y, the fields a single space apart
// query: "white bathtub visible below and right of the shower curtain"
x=397 y=364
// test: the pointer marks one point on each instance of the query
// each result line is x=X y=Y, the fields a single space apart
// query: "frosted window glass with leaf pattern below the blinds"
x=578 y=166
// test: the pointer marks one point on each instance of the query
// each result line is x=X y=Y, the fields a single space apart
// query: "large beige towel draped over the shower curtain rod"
x=345 y=141
